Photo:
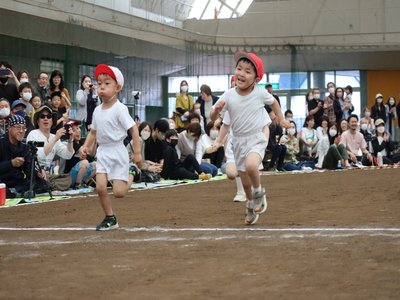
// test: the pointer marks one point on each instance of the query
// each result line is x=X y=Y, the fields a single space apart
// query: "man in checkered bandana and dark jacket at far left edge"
x=15 y=157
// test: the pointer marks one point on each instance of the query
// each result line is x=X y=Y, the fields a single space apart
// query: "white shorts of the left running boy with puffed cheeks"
x=113 y=160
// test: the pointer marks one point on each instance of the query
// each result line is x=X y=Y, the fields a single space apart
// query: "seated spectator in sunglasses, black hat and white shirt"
x=43 y=121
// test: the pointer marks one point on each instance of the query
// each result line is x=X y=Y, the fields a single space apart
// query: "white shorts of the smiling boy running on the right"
x=255 y=143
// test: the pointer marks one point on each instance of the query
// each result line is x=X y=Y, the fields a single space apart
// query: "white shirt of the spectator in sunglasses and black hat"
x=59 y=148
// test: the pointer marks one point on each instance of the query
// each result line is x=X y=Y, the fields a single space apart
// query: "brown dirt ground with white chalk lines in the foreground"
x=332 y=235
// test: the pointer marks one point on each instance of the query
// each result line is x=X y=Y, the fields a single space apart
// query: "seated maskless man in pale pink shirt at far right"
x=355 y=144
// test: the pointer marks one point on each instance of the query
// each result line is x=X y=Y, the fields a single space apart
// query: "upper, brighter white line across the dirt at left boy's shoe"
x=213 y=229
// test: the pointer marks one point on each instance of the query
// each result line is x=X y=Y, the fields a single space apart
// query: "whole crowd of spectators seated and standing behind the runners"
x=182 y=146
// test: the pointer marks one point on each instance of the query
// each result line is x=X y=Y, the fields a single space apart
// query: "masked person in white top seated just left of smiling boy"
x=215 y=153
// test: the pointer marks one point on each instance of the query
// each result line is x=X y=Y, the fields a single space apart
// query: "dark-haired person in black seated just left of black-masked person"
x=154 y=145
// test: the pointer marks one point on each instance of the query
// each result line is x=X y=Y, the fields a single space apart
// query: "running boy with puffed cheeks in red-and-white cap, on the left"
x=111 y=121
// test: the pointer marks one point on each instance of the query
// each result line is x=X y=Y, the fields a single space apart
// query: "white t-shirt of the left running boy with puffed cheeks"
x=112 y=124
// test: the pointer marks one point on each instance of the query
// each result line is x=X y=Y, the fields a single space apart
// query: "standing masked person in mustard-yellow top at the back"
x=184 y=103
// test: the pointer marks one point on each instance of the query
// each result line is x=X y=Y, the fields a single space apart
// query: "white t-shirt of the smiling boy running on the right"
x=247 y=113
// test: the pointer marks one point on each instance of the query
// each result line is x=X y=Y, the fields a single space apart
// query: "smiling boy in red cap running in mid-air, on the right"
x=249 y=125
